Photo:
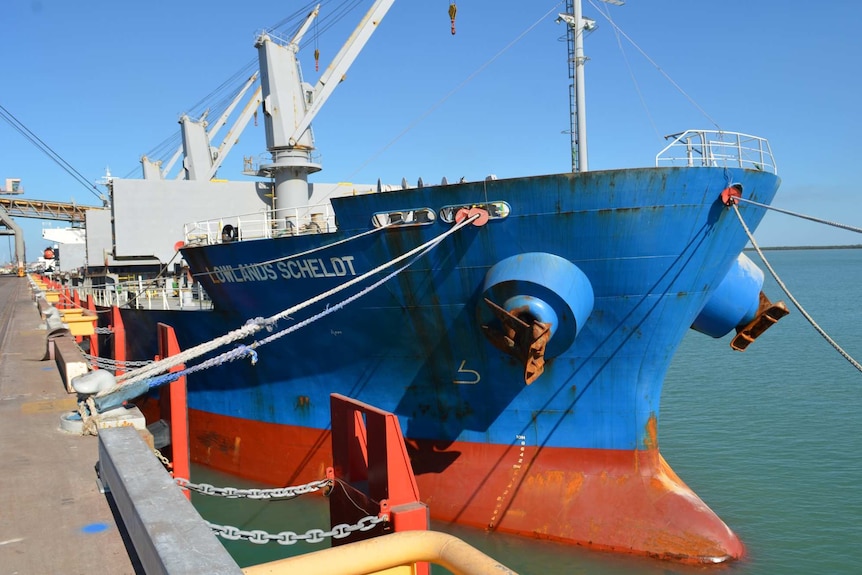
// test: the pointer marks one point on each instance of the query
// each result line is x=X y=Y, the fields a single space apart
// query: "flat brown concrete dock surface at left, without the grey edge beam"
x=54 y=518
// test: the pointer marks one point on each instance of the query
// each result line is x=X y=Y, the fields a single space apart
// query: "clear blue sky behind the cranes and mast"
x=104 y=82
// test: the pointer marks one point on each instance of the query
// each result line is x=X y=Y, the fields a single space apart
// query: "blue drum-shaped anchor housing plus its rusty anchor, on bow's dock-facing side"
x=534 y=305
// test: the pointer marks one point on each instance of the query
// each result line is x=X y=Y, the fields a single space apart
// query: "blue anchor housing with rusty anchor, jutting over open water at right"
x=739 y=303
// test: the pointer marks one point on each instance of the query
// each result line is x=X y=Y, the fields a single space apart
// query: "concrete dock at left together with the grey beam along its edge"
x=78 y=503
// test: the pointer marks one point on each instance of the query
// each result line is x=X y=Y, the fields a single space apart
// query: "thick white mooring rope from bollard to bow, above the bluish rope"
x=257 y=324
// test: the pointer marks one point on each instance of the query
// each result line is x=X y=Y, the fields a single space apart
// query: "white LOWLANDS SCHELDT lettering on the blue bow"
x=289 y=269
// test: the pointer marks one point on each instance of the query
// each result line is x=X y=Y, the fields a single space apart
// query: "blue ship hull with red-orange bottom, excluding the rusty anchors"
x=573 y=455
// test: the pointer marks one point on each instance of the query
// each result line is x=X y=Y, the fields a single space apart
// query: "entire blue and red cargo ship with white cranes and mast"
x=520 y=328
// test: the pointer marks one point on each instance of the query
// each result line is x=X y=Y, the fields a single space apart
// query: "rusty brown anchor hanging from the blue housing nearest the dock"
x=523 y=340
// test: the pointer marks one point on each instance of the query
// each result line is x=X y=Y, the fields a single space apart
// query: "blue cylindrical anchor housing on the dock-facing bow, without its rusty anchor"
x=544 y=287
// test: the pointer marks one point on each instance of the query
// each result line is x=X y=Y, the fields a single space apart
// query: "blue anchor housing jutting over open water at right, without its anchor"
x=735 y=301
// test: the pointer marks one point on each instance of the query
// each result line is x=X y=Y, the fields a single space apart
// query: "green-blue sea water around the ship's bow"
x=770 y=439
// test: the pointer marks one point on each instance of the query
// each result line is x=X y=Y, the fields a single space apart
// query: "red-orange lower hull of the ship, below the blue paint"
x=611 y=500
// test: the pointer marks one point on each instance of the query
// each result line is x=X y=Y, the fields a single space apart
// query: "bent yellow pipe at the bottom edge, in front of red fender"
x=385 y=552
